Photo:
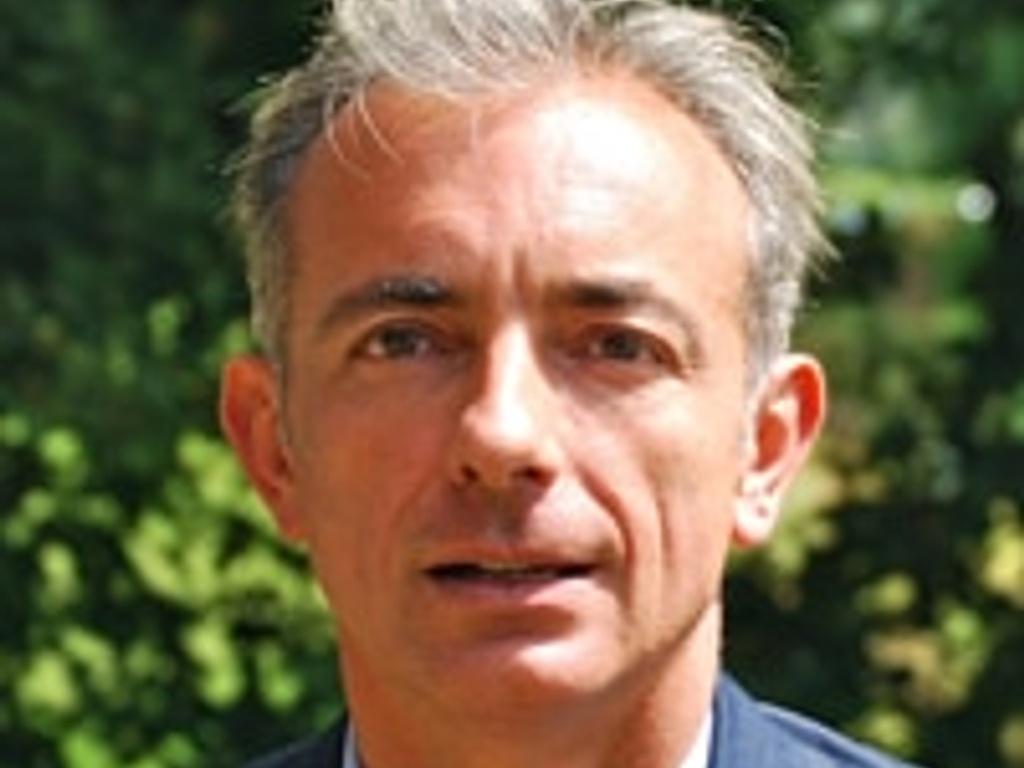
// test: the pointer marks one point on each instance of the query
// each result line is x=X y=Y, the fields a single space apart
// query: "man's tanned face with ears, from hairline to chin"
x=516 y=434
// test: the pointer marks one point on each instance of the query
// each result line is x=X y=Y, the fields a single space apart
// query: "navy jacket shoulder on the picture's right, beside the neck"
x=752 y=734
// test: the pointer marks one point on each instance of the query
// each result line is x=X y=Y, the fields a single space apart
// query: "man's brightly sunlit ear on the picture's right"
x=787 y=416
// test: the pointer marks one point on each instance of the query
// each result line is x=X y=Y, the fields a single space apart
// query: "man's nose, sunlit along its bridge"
x=505 y=438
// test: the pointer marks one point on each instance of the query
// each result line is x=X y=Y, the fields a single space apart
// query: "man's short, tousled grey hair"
x=701 y=62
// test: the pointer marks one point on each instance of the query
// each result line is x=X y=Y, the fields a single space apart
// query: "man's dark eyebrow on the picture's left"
x=387 y=293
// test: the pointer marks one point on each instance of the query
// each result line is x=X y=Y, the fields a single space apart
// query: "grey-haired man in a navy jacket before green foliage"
x=524 y=276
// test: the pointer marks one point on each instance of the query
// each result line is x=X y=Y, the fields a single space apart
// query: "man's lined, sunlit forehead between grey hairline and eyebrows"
x=577 y=163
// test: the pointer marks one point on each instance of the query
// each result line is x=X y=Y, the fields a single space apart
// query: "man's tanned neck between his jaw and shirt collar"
x=649 y=719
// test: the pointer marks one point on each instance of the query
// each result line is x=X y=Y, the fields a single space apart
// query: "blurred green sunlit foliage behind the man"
x=149 y=617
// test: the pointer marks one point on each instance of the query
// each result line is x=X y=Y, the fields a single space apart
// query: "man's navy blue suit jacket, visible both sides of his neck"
x=747 y=736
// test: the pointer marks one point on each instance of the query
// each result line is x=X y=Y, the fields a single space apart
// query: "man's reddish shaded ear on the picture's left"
x=252 y=417
